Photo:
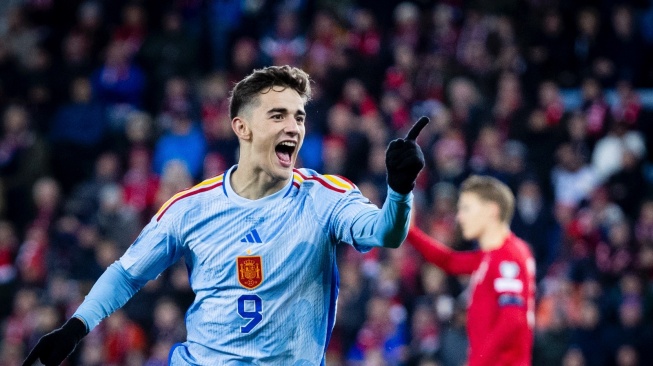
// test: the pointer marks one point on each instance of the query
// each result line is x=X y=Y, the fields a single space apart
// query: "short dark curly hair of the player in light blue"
x=245 y=92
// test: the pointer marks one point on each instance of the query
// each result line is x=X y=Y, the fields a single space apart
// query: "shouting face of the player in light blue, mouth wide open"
x=278 y=131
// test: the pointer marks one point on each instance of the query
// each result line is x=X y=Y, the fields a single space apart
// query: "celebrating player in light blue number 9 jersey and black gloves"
x=259 y=240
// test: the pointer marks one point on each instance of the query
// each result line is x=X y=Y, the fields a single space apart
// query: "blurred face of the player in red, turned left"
x=473 y=215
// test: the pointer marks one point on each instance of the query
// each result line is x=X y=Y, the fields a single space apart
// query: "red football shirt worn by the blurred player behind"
x=501 y=310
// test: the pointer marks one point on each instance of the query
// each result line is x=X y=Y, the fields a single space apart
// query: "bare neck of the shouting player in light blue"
x=253 y=183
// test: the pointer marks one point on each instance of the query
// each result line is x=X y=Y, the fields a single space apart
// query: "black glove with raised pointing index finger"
x=404 y=159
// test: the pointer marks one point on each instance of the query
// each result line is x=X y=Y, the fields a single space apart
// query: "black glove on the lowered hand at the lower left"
x=55 y=346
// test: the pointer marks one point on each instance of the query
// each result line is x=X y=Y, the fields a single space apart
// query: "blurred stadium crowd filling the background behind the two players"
x=108 y=108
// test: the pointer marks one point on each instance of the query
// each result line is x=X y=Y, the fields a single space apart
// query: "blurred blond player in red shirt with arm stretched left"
x=502 y=302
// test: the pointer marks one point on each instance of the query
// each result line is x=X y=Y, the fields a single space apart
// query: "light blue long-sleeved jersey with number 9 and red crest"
x=263 y=271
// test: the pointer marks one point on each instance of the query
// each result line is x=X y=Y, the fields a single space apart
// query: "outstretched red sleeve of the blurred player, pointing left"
x=442 y=256
